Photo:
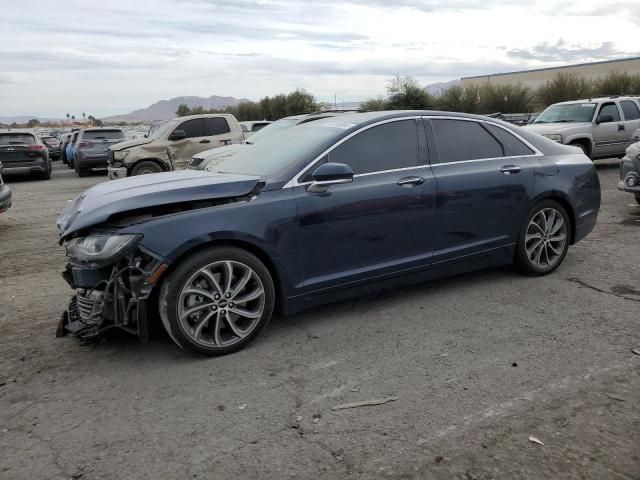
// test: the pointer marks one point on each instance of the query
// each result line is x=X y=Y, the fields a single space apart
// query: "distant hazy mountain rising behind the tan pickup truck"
x=166 y=109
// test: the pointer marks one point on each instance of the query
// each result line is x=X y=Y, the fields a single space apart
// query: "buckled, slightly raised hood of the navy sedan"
x=99 y=203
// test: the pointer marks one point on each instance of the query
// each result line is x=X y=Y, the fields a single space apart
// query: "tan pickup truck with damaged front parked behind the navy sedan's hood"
x=171 y=144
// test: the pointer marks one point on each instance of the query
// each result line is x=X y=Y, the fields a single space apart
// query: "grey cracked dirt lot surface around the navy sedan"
x=478 y=364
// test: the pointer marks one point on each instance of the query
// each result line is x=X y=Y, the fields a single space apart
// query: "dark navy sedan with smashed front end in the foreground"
x=318 y=213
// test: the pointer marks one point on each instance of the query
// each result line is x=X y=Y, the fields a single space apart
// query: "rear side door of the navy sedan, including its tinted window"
x=484 y=181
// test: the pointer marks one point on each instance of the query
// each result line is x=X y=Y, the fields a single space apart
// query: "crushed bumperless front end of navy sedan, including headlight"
x=113 y=278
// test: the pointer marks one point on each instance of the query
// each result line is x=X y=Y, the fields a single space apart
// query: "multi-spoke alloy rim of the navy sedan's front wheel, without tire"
x=221 y=304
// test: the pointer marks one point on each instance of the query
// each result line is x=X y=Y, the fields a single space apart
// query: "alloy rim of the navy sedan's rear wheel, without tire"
x=546 y=238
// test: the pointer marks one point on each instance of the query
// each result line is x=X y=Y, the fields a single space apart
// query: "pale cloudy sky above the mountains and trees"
x=112 y=56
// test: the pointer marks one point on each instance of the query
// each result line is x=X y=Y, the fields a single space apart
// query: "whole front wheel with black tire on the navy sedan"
x=217 y=301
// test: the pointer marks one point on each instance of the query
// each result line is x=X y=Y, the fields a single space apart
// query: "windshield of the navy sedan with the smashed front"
x=276 y=152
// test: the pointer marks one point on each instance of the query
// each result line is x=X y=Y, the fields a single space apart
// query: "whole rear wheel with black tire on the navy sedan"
x=544 y=237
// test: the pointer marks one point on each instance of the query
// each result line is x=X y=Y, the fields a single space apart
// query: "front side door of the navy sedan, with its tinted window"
x=379 y=224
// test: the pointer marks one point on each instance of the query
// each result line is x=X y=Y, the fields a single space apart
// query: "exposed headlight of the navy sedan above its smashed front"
x=96 y=250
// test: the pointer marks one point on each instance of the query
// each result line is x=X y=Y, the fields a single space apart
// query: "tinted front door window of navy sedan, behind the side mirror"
x=385 y=147
